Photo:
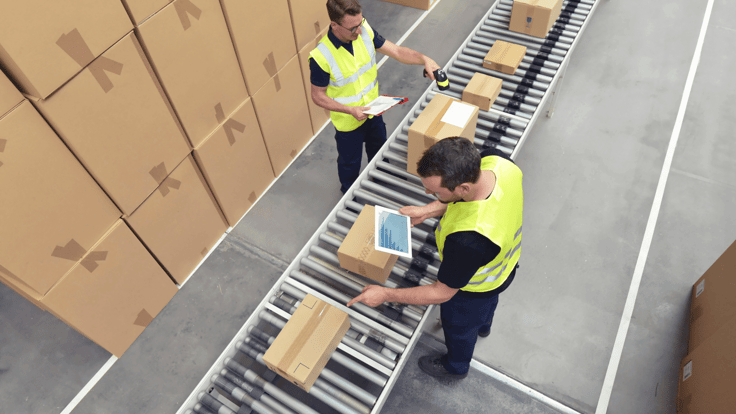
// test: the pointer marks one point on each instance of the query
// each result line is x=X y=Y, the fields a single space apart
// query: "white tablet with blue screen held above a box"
x=393 y=232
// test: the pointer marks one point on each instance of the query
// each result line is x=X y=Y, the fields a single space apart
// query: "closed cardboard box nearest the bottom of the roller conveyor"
x=305 y=344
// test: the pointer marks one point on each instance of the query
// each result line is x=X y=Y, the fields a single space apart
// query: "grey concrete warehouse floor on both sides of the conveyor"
x=591 y=173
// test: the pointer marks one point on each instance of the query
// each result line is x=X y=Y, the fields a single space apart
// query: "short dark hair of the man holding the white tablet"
x=454 y=159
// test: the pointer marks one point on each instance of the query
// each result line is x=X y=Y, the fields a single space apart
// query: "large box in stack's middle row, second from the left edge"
x=120 y=125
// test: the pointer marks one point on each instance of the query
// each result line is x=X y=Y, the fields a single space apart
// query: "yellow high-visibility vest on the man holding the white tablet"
x=498 y=218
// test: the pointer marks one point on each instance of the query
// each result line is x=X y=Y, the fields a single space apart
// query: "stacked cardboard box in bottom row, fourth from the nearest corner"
x=281 y=107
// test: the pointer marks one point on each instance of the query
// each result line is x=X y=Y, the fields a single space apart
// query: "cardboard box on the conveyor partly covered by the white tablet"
x=358 y=252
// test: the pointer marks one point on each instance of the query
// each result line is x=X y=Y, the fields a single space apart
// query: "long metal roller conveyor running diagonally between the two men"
x=369 y=359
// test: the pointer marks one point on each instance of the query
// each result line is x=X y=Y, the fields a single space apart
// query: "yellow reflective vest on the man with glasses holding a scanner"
x=353 y=78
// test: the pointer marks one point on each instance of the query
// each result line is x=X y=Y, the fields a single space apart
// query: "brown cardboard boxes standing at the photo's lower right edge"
x=708 y=373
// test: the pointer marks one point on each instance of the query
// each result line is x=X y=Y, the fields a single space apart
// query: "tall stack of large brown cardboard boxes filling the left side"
x=133 y=133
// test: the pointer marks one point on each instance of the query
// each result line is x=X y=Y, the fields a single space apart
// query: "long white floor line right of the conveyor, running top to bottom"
x=623 y=328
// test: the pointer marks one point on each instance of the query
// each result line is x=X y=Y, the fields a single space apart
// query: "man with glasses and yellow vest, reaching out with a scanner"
x=344 y=79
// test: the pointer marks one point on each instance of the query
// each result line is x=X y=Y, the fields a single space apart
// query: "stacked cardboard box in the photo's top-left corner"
x=43 y=44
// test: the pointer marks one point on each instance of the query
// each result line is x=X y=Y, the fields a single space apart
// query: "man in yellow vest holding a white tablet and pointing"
x=480 y=199
